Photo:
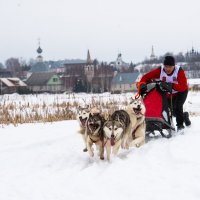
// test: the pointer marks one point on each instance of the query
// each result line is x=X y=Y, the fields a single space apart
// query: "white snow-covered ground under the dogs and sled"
x=46 y=162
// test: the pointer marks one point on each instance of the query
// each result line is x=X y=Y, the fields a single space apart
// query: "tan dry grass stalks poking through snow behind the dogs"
x=25 y=112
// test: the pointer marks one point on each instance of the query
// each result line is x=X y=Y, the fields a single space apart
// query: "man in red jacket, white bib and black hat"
x=174 y=76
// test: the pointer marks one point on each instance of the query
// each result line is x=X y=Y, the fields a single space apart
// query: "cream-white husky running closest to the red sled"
x=136 y=135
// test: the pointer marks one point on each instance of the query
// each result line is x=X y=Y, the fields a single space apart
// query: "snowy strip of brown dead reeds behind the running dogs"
x=49 y=108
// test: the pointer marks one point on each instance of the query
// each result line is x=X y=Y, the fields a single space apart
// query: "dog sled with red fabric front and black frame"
x=158 y=116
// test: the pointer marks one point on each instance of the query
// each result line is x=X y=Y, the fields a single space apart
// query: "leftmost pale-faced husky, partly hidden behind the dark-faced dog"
x=82 y=117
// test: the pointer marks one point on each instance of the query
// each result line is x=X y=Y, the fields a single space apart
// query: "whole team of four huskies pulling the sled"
x=124 y=128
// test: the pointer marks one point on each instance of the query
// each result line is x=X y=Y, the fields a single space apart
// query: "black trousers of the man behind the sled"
x=177 y=101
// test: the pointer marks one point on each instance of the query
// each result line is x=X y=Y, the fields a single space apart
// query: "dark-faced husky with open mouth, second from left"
x=94 y=133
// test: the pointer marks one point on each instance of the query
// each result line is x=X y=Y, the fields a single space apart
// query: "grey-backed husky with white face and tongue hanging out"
x=114 y=131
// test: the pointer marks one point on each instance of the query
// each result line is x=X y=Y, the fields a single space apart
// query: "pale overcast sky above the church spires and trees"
x=68 y=28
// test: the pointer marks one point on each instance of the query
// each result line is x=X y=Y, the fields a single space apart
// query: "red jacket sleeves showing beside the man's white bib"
x=181 y=86
